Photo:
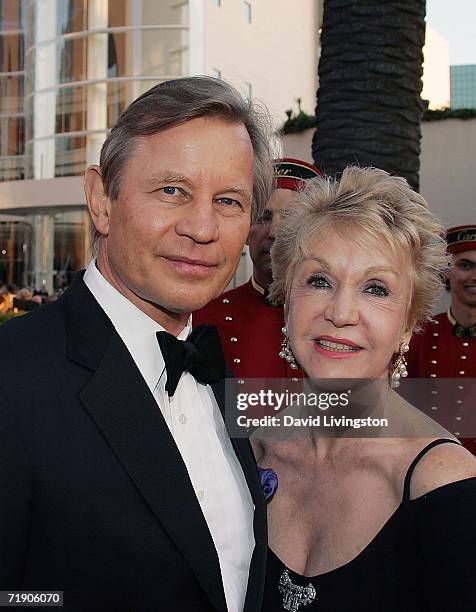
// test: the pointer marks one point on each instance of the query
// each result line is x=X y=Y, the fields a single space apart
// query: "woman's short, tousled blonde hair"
x=365 y=202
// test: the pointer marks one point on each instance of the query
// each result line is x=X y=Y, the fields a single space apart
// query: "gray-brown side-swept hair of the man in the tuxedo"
x=173 y=103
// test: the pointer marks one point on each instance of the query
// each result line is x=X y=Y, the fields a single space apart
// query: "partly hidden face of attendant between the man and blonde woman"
x=263 y=233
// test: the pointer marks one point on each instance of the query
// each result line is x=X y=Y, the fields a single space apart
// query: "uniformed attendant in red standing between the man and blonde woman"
x=250 y=327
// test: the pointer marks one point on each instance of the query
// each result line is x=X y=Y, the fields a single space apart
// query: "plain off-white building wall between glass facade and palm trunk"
x=277 y=53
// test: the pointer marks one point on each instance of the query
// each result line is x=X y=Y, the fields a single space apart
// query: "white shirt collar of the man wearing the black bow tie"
x=136 y=329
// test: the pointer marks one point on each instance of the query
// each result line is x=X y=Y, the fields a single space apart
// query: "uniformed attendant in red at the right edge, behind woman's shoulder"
x=447 y=346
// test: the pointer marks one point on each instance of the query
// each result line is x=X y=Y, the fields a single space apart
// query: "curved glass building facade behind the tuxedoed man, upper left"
x=68 y=69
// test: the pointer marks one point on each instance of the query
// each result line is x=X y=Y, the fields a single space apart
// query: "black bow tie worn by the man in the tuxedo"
x=201 y=355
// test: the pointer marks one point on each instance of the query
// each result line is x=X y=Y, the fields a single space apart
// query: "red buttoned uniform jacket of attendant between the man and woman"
x=250 y=331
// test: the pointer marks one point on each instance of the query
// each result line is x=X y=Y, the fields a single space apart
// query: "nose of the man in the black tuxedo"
x=199 y=221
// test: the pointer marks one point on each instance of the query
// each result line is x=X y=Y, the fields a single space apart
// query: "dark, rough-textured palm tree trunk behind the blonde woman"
x=369 y=106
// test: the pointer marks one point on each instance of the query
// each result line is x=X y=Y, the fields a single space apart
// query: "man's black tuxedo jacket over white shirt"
x=95 y=499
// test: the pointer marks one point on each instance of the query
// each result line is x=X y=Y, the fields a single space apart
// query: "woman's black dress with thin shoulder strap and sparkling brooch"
x=424 y=558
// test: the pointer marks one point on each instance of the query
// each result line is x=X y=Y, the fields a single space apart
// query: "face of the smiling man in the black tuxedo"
x=174 y=236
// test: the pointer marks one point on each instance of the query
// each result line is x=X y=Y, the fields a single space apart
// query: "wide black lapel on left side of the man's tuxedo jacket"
x=120 y=403
